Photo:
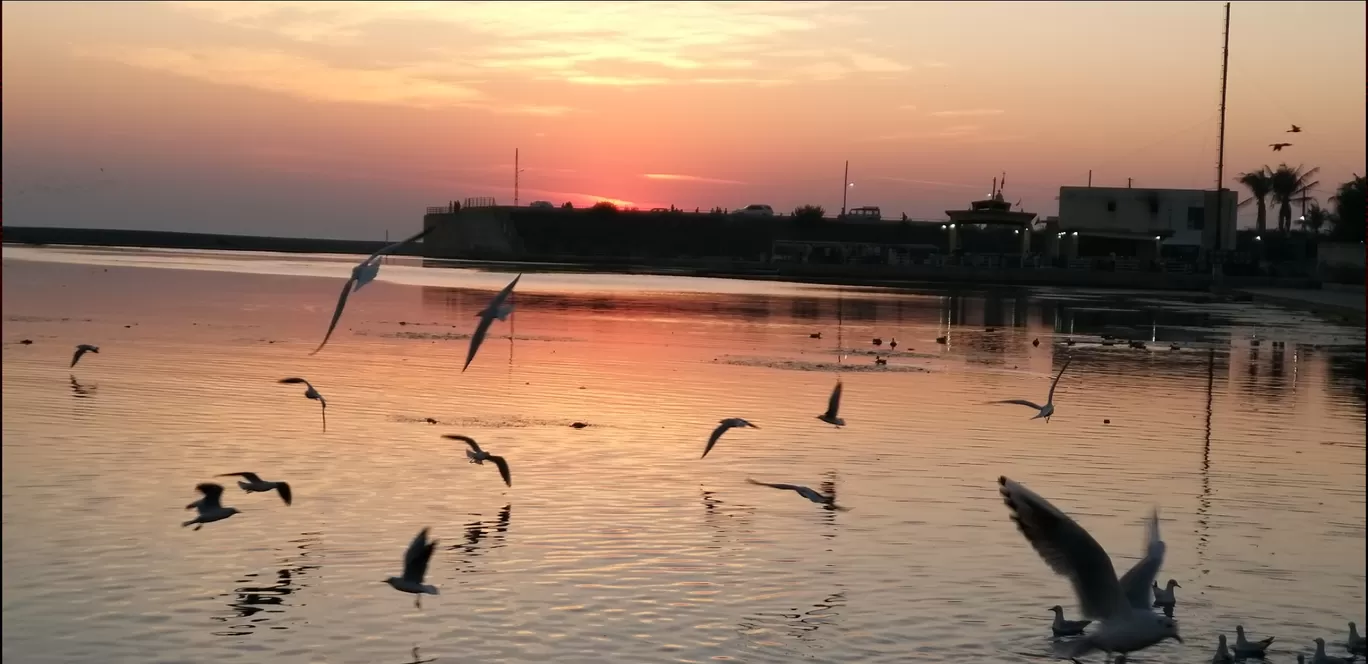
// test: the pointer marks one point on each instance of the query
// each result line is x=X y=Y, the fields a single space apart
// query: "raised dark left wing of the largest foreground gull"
x=1068 y=550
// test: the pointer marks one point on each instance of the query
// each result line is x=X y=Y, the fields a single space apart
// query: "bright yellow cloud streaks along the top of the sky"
x=624 y=44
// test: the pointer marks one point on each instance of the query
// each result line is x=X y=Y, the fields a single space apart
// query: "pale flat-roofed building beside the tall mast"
x=1151 y=212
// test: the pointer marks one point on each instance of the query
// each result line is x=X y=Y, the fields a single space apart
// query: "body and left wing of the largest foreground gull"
x=1072 y=552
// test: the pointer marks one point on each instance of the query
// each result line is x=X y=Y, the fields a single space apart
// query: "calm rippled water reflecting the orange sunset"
x=616 y=543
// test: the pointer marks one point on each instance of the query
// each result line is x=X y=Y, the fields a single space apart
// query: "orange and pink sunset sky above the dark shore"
x=348 y=120
